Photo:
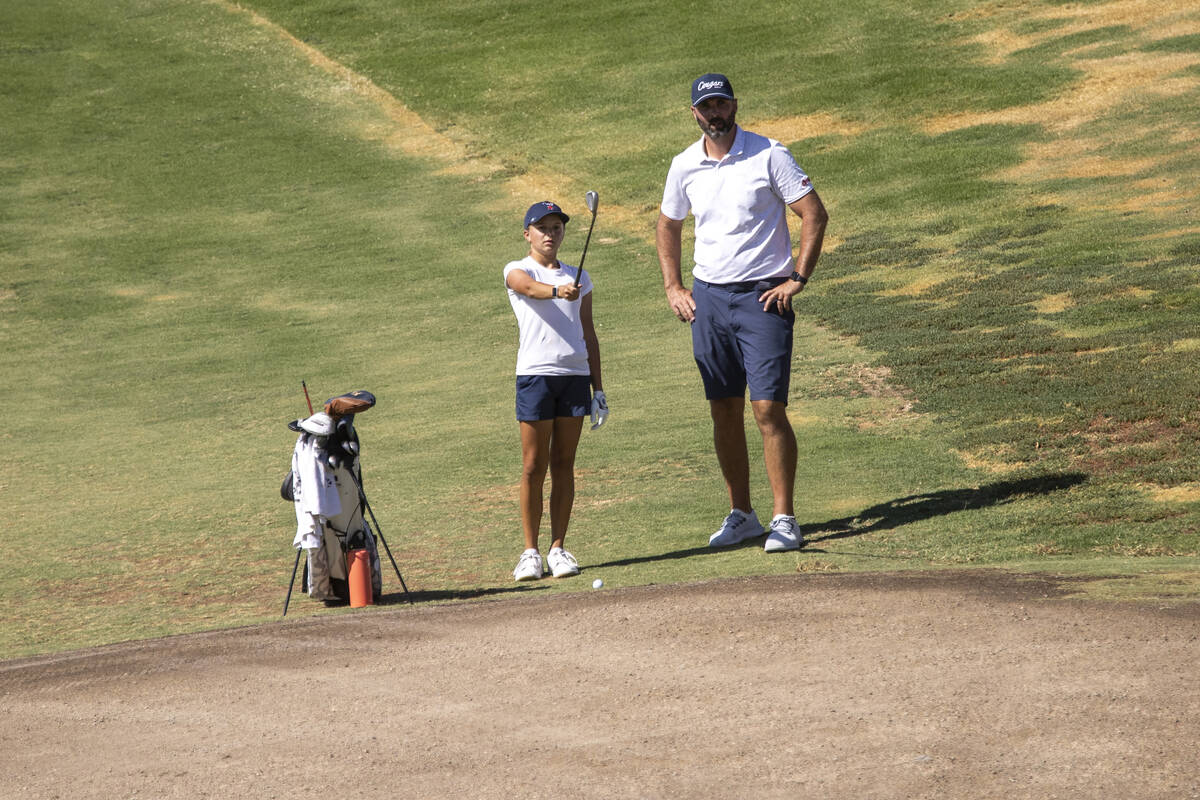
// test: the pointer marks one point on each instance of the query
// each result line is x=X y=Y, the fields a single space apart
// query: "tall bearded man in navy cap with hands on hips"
x=740 y=185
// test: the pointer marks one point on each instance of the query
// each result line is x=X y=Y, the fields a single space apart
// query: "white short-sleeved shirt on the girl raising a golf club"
x=551 y=333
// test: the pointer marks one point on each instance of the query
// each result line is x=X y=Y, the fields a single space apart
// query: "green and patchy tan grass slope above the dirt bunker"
x=997 y=366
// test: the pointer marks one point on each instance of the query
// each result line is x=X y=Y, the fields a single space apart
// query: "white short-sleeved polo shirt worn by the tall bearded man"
x=741 y=207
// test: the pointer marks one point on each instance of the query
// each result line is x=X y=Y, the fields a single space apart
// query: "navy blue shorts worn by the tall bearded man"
x=739 y=345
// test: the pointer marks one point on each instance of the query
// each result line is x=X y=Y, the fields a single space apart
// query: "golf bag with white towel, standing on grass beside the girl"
x=326 y=486
